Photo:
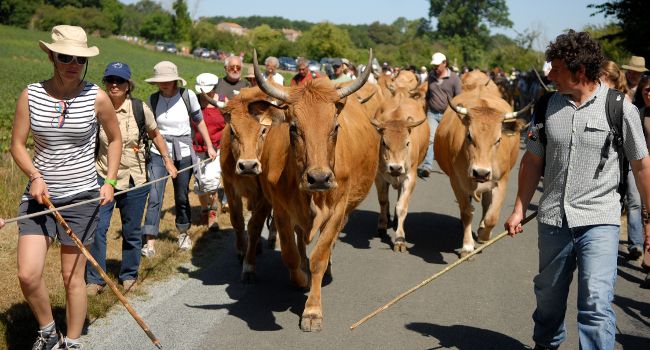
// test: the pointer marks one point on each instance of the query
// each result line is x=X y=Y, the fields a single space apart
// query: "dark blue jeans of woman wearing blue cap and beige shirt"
x=131 y=205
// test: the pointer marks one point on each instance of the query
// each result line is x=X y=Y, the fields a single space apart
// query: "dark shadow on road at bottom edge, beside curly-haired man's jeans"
x=465 y=337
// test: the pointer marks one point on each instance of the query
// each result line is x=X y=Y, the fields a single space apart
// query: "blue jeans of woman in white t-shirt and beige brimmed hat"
x=156 y=170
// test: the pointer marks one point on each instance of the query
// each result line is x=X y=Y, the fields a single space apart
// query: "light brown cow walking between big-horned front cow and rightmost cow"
x=404 y=141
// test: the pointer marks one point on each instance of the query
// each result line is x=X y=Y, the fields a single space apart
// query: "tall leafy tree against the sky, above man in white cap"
x=469 y=17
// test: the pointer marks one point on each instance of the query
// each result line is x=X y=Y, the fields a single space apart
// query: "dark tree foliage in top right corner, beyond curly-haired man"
x=634 y=21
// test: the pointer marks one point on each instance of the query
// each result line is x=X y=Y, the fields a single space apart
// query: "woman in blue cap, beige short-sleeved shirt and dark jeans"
x=136 y=123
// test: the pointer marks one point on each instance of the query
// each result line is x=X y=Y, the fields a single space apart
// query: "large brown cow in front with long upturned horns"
x=318 y=171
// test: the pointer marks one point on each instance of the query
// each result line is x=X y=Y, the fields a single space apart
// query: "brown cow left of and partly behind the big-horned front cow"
x=248 y=116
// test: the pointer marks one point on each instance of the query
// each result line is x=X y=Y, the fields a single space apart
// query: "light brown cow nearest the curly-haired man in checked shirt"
x=476 y=145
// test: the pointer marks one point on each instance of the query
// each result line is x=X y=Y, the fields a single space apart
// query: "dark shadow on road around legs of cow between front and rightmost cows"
x=427 y=234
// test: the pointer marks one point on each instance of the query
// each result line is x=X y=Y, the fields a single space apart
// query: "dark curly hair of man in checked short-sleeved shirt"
x=577 y=49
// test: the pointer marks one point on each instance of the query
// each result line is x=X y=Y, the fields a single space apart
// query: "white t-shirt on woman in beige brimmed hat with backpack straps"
x=173 y=120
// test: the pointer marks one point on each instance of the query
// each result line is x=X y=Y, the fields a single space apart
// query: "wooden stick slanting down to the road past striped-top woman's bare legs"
x=108 y=281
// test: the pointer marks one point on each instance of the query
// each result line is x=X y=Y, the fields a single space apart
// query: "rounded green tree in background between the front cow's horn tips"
x=326 y=40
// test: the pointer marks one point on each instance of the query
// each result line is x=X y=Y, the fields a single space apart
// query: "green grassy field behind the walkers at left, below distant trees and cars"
x=23 y=62
